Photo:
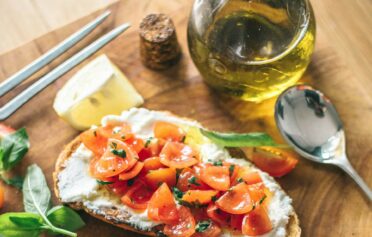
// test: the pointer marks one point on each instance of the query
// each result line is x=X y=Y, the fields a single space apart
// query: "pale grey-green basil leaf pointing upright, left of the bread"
x=36 y=194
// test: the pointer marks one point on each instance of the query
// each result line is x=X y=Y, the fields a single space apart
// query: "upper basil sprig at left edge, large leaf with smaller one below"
x=13 y=147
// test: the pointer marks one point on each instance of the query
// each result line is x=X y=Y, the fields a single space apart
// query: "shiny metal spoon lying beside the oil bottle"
x=308 y=121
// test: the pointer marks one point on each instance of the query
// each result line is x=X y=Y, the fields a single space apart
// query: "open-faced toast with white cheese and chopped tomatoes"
x=154 y=173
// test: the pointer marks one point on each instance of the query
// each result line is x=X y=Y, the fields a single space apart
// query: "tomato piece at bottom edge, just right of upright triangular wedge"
x=183 y=227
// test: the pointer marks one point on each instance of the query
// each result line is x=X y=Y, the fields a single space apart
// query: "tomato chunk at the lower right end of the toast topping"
x=256 y=222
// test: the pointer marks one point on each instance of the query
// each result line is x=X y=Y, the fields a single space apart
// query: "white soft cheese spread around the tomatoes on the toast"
x=141 y=120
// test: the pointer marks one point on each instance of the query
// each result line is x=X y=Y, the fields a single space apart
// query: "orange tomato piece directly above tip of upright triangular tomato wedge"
x=154 y=178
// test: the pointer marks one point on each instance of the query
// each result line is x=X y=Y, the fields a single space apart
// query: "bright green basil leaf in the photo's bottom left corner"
x=20 y=224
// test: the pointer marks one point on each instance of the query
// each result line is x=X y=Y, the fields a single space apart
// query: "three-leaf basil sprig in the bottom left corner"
x=38 y=216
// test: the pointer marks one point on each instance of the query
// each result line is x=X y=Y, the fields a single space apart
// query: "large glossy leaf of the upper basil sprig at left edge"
x=14 y=146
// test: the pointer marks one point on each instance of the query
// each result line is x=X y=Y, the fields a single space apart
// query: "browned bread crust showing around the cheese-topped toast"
x=117 y=219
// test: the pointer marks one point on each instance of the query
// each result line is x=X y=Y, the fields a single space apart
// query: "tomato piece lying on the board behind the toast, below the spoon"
x=277 y=162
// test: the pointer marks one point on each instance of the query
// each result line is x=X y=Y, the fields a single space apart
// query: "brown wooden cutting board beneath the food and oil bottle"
x=327 y=201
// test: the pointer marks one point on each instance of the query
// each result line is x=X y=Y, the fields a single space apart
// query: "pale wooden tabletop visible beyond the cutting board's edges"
x=346 y=25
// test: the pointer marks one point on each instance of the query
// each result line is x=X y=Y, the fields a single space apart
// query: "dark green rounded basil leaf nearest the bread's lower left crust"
x=66 y=218
